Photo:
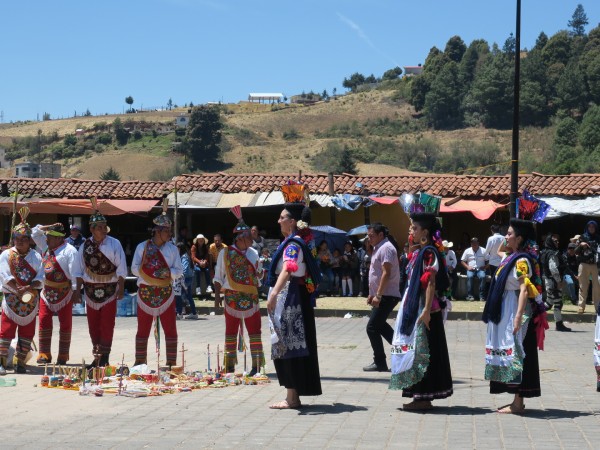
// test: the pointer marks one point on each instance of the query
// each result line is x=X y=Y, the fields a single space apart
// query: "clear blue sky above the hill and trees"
x=68 y=56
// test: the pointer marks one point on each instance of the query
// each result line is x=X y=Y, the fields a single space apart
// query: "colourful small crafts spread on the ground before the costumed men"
x=141 y=381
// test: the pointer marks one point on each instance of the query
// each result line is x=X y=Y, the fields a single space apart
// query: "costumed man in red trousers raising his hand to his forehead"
x=58 y=291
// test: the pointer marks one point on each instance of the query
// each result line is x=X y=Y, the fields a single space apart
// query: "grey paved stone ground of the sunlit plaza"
x=355 y=411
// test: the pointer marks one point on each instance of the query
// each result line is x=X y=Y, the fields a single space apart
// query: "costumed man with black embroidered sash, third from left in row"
x=101 y=268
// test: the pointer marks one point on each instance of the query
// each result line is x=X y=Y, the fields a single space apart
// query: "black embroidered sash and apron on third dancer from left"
x=101 y=270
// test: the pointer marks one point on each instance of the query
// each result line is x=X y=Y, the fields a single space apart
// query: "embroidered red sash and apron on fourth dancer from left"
x=156 y=295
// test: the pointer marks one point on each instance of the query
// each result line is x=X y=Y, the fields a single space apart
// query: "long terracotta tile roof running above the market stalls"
x=467 y=186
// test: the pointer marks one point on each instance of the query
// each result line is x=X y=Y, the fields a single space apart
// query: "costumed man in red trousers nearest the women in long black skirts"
x=237 y=277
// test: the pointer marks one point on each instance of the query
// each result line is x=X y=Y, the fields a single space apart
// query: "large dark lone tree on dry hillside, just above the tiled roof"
x=203 y=136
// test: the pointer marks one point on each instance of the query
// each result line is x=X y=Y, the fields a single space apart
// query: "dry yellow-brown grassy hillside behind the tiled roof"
x=262 y=138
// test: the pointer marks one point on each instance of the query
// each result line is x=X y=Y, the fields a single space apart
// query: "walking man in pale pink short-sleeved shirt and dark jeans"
x=384 y=292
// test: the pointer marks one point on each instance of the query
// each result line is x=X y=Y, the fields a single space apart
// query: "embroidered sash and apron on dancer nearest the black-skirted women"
x=241 y=300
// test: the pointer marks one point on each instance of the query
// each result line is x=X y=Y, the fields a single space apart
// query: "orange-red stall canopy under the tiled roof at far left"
x=83 y=206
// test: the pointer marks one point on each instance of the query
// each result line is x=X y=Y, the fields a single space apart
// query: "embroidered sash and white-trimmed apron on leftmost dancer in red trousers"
x=20 y=312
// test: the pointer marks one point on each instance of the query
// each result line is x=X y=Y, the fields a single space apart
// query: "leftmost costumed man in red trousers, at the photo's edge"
x=21 y=276
